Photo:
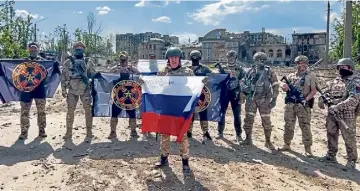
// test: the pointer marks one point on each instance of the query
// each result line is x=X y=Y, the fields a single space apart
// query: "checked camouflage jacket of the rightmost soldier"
x=345 y=94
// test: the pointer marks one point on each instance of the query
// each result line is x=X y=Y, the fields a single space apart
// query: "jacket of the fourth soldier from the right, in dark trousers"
x=237 y=74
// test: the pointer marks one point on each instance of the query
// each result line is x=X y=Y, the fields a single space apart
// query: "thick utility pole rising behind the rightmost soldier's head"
x=348 y=30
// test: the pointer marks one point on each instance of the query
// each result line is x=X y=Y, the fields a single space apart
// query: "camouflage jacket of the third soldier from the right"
x=262 y=83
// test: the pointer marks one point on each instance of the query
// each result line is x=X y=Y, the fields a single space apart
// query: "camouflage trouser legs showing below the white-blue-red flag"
x=165 y=146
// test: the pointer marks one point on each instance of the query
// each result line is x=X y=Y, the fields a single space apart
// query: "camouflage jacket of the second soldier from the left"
x=70 y=80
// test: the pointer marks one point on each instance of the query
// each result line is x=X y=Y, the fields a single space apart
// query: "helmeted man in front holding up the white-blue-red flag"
x=169 y=102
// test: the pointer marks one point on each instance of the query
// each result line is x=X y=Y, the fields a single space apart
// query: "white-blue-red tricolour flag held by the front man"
x=169 y=102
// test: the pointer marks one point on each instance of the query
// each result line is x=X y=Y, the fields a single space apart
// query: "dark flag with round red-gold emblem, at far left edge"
x=24 y=80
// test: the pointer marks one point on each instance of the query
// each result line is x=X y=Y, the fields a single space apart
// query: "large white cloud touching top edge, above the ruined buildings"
x=212 y=14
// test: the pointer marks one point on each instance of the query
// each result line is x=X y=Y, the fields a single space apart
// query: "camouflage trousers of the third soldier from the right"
x=251 y=107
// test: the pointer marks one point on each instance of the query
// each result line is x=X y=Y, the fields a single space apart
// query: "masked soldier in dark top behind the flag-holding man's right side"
x=200 y=70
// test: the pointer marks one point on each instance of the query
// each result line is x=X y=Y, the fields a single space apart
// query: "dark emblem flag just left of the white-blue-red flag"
x=116 y=95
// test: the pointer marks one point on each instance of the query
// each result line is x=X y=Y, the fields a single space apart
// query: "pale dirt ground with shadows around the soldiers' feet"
x=52 y=164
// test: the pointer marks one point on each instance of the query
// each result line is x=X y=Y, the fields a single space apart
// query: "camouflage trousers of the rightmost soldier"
x=349 y=136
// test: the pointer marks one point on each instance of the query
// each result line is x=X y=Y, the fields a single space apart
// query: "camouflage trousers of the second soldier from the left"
x=72 y=100
